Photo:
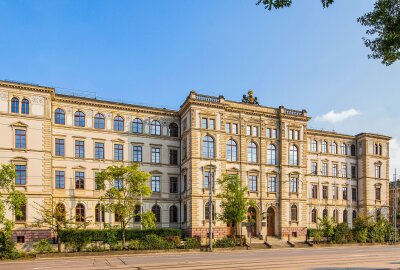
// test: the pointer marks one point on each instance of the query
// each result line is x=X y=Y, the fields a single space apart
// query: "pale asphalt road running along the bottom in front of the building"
x=370 y=257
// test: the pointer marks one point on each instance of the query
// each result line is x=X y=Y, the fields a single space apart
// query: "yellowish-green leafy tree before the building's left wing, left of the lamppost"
x=125 y=186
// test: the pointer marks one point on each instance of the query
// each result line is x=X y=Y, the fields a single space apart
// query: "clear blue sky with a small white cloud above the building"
x=154 y=52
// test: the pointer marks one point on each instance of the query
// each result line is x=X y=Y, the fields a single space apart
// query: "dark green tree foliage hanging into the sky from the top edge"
x=383 y=23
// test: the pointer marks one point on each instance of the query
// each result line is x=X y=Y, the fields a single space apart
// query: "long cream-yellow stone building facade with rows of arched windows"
x=294 y=174
